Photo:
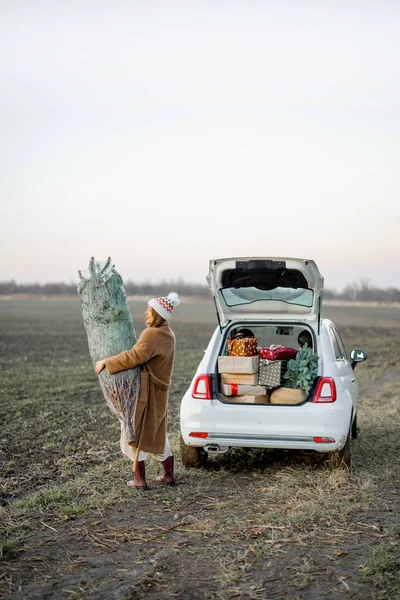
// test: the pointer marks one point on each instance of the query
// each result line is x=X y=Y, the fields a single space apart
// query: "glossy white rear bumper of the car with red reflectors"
x=268 y=426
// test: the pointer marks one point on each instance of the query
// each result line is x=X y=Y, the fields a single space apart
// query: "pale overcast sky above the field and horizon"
x=165 y=134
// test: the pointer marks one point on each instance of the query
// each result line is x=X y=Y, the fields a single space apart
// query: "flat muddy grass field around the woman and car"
x=257 y=524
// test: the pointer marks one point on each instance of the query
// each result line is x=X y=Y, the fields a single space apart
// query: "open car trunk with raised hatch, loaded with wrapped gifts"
x=279 y=299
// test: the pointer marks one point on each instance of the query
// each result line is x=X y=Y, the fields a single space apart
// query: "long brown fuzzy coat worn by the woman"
x=155 y=352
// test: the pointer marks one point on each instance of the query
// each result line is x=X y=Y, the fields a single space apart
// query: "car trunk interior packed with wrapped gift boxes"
x=261 y=381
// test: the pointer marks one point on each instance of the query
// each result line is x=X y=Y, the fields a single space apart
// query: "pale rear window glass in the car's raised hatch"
x=248 y=295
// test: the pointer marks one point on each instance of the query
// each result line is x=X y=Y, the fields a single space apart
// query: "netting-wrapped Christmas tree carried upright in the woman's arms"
x=110 y=330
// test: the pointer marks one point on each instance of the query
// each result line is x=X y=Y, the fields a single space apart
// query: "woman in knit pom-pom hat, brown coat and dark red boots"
x=155 y=352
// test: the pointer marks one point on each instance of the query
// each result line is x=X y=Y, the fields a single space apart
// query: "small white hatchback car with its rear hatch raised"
x=278 y=299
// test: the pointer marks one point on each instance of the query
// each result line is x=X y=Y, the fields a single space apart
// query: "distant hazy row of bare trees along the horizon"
x=356 y=291
